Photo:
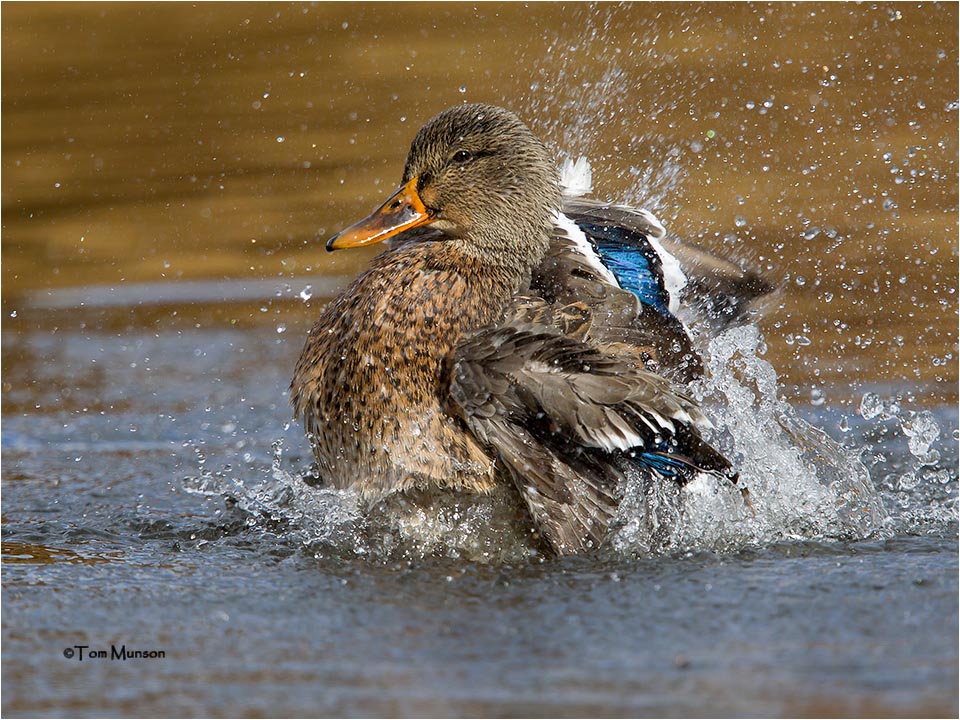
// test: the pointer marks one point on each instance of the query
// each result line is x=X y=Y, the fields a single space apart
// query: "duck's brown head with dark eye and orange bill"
x=477 y=175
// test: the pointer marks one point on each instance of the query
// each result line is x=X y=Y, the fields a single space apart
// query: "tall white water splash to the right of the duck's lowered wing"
x=795 y=482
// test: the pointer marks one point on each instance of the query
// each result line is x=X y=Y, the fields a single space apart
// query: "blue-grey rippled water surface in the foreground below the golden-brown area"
x=107 y=542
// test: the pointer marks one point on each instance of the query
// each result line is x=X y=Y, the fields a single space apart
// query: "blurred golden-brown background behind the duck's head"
x=155 y=142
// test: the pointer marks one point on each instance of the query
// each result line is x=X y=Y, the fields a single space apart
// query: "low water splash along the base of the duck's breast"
x=332 y=523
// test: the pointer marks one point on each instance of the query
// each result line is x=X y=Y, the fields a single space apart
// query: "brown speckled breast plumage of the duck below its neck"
x=369 y=384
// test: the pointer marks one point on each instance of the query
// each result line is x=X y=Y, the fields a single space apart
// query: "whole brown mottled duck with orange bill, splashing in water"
x=514 y=336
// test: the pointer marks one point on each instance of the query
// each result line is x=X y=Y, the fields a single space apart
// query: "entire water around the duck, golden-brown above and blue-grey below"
x=160 y=271
